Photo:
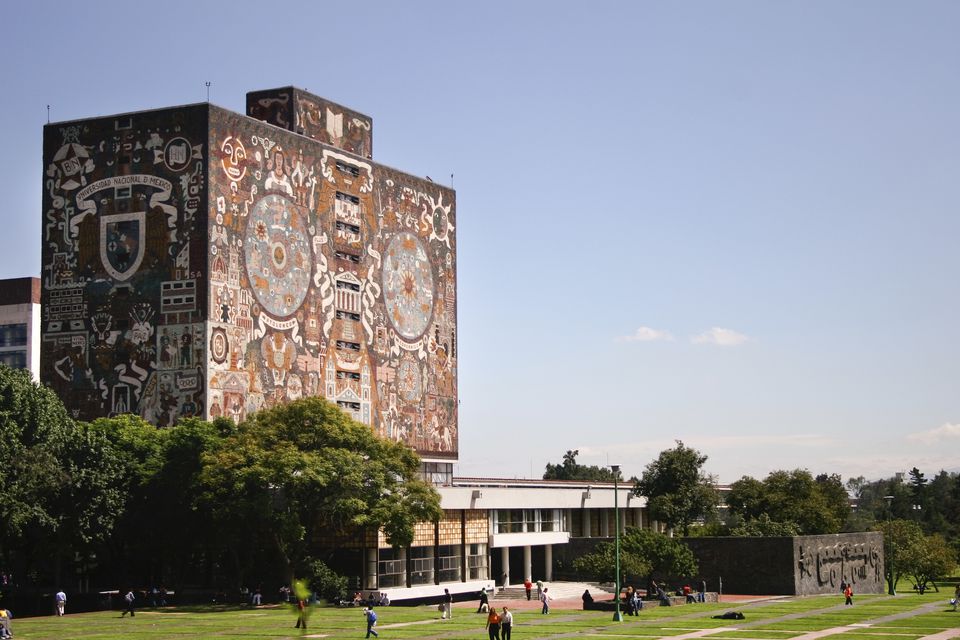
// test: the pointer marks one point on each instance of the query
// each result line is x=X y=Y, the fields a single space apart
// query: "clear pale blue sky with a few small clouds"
x=731 y=223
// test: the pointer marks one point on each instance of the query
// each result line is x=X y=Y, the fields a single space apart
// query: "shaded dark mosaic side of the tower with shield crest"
x=124 y=262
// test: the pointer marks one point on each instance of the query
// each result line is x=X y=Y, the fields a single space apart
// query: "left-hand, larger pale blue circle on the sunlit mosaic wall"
x=277 y=252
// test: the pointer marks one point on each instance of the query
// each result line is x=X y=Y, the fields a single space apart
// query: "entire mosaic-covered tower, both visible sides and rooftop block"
x=201 y=262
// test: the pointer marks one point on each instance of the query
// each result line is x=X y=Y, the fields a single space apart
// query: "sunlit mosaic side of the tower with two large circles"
x=331 y=276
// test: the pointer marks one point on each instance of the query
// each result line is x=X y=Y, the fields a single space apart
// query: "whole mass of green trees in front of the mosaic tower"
x=117 y=502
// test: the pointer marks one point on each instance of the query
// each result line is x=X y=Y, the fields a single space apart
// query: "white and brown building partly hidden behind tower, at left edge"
x=20 y=324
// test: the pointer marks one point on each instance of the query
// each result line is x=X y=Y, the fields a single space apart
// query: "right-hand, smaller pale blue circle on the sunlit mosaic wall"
x=408 y=285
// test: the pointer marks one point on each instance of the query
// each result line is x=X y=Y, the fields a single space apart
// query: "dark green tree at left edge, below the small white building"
x=58 y=481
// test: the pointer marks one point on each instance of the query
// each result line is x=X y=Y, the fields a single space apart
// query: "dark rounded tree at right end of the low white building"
x=678 y=491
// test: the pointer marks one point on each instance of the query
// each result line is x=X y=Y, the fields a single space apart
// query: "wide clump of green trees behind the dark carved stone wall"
x=792 y=498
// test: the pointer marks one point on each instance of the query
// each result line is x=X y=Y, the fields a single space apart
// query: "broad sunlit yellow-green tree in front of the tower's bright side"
x=306 y=467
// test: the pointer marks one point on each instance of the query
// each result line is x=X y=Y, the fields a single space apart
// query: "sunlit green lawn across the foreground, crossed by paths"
x=779 y=619
